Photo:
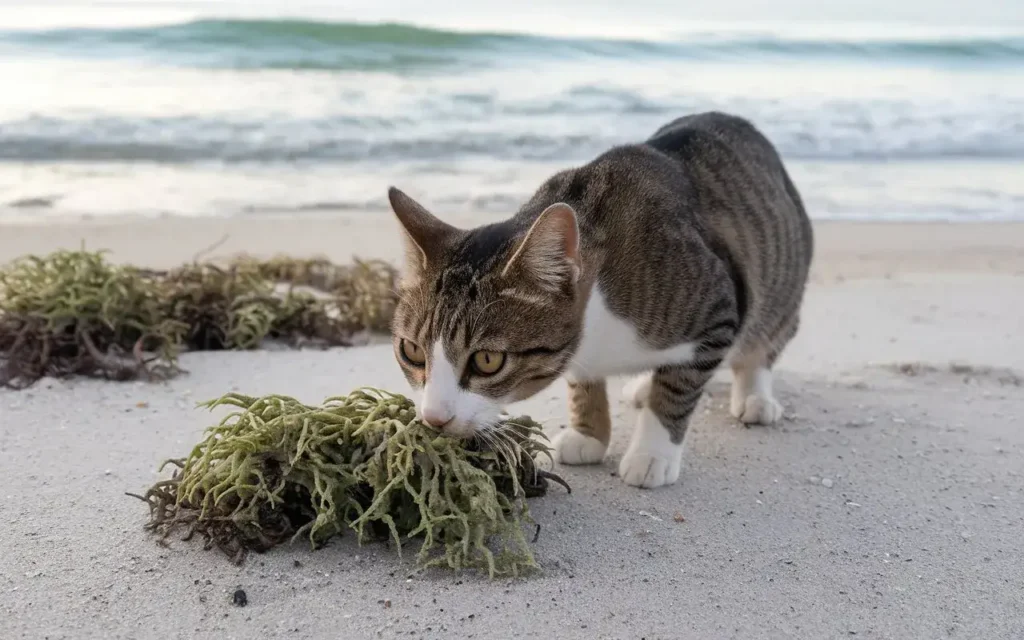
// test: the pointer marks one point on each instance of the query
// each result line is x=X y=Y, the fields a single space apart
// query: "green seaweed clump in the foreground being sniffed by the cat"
x=276 y=471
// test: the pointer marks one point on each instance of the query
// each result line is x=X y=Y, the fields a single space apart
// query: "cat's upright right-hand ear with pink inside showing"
x=550 y=251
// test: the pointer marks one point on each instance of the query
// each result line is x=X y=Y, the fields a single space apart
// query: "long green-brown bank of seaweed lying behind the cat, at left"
x=74 y=313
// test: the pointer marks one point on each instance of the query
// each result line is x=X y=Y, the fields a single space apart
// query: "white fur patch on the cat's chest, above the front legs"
x=611 y=347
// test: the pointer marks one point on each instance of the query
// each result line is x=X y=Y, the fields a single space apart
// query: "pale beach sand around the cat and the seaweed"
x=887 y=505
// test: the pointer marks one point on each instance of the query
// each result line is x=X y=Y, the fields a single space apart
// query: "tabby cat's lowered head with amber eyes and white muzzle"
x=487 y=316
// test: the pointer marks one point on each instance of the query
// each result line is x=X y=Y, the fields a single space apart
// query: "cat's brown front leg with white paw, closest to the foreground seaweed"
x=586 y=442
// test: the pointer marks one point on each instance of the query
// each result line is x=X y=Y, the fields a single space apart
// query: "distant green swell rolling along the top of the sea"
x=319 y=46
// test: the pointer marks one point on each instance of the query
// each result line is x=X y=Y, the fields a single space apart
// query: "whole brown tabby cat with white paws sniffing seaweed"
x=663 y=259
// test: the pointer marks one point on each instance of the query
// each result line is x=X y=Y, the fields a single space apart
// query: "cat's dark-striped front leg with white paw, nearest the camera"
x=655 y=456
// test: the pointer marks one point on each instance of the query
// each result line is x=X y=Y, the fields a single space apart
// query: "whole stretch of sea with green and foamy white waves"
x=229 y=109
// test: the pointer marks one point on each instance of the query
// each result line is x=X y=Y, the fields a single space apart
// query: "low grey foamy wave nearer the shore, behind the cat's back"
x=349 y=141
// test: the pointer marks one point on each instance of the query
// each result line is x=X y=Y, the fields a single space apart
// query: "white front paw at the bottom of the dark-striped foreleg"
x=653 y=459
